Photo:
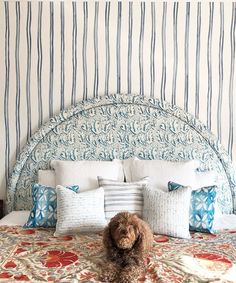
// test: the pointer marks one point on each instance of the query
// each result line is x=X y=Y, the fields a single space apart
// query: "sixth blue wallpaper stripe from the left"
x=62 y=14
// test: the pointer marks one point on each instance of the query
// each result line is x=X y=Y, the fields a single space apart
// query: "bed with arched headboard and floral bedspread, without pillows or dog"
x=118 y=127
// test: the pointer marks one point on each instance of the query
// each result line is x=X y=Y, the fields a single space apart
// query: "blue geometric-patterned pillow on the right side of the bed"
x=202 y=207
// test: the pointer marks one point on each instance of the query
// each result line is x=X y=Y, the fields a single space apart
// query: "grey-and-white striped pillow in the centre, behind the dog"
x=122 y=196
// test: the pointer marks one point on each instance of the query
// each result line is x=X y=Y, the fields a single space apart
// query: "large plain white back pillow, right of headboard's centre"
x=161 y=172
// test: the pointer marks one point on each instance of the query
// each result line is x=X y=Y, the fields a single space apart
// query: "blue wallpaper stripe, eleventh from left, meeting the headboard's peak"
x=118 y=35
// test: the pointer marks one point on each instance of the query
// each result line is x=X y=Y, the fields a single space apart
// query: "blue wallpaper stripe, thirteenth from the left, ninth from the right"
x=141 y=38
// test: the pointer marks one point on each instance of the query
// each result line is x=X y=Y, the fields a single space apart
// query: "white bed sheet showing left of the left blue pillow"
x=15 y=218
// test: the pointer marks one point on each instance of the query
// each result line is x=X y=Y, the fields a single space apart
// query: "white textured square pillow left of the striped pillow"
x=79 y=212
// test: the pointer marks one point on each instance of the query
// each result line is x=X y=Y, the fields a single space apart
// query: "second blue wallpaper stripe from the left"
x=17 y=60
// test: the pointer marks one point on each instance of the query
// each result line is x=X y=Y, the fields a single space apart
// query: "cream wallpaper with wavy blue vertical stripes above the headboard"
x=53 y=54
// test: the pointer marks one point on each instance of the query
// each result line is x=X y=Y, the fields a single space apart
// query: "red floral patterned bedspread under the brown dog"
x=38 y=256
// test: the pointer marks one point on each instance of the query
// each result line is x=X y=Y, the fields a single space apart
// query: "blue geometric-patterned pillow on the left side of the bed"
x=44 y=210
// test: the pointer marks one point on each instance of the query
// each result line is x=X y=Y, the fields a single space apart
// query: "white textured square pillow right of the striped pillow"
x=168 y=212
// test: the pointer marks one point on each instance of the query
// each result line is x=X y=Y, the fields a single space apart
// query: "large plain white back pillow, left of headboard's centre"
x=84 y=173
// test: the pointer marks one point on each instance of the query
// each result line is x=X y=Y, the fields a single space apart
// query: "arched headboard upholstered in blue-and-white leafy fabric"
x=120 y=126
